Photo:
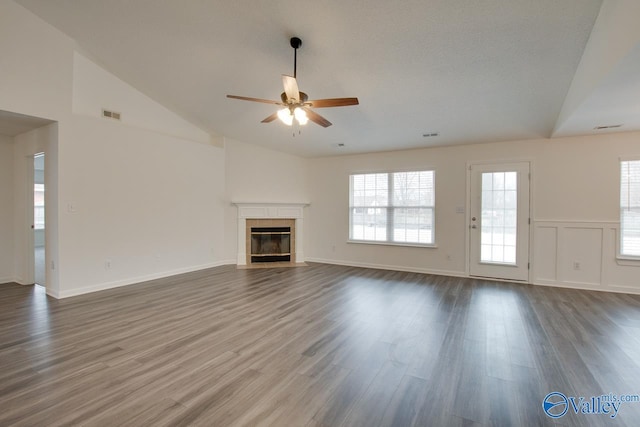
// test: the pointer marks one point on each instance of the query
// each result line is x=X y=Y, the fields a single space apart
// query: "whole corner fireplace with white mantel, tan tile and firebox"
x=270 y=234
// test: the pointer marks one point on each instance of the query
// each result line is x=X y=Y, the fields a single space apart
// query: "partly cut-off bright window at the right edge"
x=630 y=208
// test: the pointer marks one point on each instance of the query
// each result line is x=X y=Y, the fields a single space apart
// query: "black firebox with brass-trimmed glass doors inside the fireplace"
x=270 y=244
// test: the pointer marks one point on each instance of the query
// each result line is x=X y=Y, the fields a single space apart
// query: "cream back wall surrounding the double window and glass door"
x=575 y=183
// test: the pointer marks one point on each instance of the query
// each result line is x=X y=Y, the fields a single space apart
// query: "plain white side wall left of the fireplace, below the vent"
x=136 y=205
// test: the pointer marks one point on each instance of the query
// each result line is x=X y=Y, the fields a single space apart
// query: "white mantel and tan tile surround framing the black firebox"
x=270 y=212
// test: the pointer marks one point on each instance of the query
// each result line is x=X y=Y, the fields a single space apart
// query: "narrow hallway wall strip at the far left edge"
x=6 y=210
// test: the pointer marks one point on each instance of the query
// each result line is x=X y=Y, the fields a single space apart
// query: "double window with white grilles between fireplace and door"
x=393 y=207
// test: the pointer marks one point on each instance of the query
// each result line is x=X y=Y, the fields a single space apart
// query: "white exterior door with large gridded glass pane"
x=499 y=221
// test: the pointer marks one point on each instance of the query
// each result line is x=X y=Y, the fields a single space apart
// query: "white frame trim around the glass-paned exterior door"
x=467 y=219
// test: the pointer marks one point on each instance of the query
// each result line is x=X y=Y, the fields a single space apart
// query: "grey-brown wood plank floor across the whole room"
x=314 y=346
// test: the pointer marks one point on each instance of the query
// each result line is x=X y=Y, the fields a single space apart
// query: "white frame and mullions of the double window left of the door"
x=390 y=210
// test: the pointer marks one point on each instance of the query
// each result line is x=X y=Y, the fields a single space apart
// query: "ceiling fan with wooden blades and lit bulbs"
x=297 y=106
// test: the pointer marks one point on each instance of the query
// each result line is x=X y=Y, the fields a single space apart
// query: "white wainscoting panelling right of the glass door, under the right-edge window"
x=582 y=254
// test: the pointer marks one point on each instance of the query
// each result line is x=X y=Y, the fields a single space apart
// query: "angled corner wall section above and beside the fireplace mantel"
x=254 y=175
